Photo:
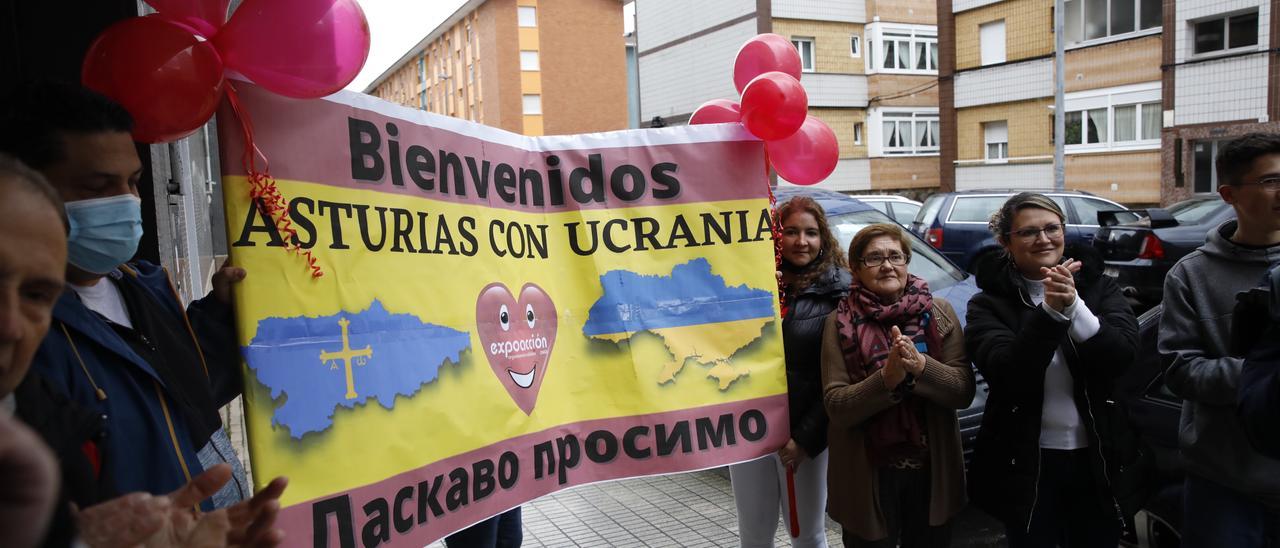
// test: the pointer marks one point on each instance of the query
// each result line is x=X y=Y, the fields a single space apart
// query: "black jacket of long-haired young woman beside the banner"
x=802 y=340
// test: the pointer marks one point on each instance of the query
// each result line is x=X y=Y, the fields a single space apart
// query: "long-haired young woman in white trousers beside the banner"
x=813 y=277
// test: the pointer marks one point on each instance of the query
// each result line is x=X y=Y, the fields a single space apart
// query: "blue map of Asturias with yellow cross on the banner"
x=322 y=364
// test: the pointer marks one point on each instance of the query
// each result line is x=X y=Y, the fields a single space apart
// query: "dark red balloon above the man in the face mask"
x=166 y=77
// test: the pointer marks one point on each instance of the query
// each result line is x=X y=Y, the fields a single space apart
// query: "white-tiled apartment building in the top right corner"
x=1222 y=80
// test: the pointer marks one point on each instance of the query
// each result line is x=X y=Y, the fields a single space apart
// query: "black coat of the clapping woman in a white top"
x=1013 y=342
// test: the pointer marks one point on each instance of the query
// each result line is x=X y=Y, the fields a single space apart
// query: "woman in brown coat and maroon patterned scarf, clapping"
x=894 y=375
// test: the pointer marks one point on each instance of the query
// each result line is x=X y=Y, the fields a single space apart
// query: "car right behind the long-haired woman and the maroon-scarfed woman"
x=847 y=216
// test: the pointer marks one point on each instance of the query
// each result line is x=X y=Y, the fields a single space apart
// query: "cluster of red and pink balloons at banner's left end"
x=168 y=68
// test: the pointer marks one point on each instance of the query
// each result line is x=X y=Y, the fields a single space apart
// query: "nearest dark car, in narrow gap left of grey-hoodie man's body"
x=1155 y=413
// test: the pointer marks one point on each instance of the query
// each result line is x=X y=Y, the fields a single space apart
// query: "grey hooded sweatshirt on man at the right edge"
x=1195 y=334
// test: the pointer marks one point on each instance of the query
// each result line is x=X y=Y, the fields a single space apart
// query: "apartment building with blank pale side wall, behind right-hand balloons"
x=870 y=70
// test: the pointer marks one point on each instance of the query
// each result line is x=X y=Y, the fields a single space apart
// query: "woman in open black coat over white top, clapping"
x=1050 y=335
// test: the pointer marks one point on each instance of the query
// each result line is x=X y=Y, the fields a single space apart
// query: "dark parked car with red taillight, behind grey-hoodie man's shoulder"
x=1140 y=254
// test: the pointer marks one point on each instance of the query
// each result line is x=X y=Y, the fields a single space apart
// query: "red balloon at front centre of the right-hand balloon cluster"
x=774 y=106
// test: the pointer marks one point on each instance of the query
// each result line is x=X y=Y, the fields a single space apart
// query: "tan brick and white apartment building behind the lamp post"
x=998 y=95
